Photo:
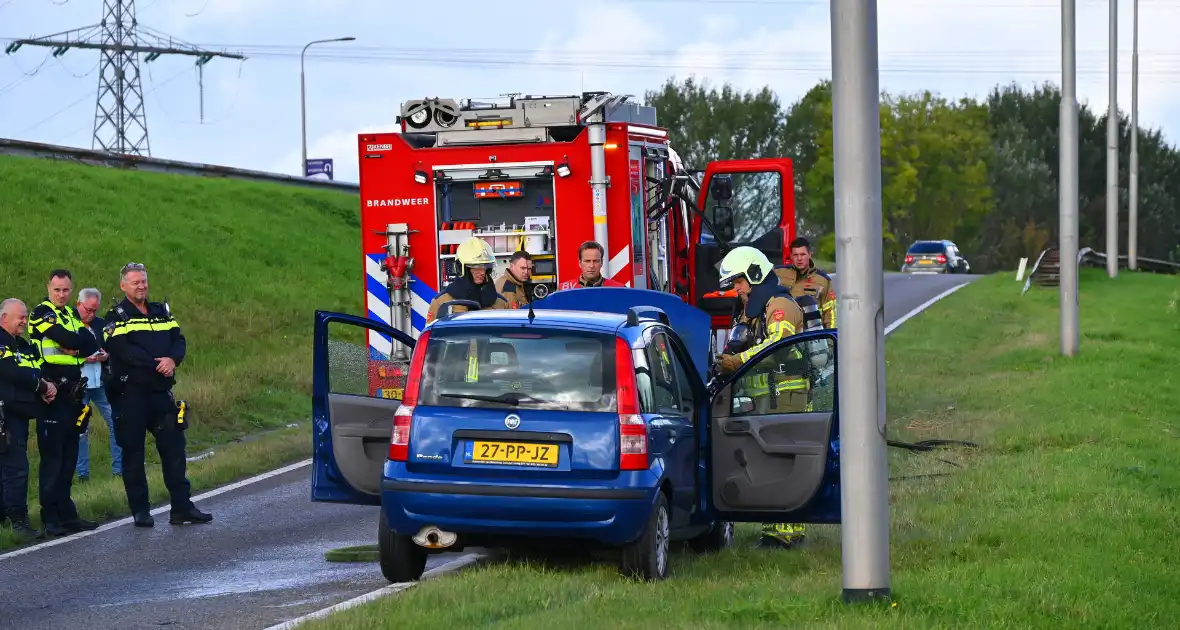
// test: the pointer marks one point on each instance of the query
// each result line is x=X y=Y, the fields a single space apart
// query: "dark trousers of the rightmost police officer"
x=137 y=414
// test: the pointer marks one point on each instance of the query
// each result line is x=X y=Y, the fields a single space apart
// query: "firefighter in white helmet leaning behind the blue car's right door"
x=768 y=314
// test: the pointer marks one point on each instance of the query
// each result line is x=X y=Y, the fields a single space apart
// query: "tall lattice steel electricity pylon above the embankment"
x=121 y=121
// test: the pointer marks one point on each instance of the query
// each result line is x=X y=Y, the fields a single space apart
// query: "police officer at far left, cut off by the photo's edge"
x=24 y=395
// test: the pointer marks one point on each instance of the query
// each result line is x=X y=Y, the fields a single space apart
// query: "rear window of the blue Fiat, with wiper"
x=537 y=370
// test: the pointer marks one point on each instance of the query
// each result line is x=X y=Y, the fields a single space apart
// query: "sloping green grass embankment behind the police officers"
x=244 y=266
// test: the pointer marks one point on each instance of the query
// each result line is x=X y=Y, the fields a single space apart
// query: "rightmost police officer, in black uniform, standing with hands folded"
x=146 y=346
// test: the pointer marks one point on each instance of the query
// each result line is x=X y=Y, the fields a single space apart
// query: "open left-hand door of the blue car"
x=355 y=395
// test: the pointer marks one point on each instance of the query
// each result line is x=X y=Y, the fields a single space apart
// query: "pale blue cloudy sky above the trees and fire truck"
x=473 y=49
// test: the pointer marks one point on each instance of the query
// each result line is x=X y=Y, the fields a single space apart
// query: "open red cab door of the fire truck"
x=750 y=202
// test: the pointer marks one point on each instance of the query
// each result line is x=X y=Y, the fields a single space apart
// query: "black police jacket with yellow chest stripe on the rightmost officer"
x=135 y=340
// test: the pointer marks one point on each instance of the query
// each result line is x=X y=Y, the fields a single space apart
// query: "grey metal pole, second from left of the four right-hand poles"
x=1067 y=187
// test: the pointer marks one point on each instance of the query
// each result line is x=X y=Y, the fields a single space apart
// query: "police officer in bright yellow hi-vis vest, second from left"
x=57 y=330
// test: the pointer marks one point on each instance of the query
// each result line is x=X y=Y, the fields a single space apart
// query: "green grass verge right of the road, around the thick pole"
x=1064 y=519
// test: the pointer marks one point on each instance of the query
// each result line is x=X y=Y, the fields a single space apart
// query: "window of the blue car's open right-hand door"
x=796 y=378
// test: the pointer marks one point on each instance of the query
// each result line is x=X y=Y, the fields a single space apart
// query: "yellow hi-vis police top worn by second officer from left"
x=56 y=331
